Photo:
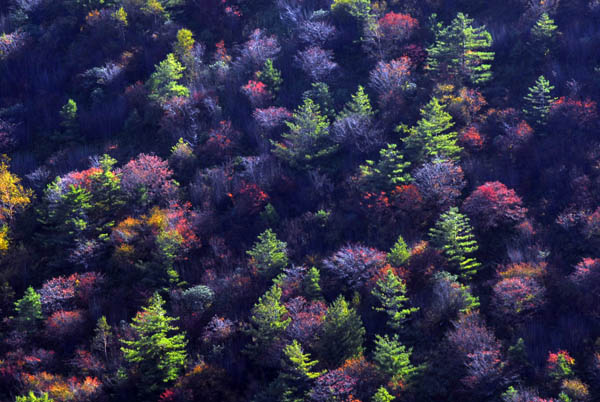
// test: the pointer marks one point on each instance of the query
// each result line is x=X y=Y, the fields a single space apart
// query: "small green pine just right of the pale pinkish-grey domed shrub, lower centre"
x=391 y=293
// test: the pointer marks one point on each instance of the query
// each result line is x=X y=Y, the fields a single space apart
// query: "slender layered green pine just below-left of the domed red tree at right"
x=453 y=234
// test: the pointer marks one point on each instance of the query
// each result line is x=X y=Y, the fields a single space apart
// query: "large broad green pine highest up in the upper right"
x=461 y=52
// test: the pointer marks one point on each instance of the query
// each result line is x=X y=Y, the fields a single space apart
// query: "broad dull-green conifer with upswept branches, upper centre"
x=308 y=140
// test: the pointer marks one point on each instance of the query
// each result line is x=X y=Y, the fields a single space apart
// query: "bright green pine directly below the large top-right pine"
x=431 y=139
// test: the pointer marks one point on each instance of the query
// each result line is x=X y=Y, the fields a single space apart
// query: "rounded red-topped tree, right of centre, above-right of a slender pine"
x=492 y=205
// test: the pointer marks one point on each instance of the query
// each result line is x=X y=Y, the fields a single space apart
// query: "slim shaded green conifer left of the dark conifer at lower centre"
x=267 y=323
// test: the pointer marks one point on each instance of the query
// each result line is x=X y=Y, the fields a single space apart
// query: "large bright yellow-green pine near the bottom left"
x=156 y=358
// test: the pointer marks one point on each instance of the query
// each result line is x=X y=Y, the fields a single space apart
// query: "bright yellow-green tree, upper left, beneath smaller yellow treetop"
x=164 y=82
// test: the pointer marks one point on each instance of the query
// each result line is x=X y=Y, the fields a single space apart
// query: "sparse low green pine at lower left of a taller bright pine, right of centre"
x=387 y=173
